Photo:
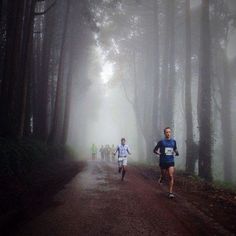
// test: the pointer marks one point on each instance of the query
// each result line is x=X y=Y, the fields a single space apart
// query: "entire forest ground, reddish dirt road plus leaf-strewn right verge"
x=97 y=202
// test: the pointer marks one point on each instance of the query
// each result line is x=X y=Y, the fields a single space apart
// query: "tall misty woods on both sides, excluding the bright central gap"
x=171 y=60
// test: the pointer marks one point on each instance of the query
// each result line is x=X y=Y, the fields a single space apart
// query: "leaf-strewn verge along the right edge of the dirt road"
x=215 y=199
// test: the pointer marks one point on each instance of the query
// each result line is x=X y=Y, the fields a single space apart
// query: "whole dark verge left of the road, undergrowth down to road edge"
x=30 y=172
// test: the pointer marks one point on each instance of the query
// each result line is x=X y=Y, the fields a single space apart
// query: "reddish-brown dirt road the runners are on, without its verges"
x=96 y=202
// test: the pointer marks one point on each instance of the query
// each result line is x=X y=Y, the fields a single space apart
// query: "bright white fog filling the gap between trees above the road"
x=106 y=114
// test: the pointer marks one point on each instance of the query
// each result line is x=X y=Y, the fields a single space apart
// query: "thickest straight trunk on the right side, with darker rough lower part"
x=205 y=97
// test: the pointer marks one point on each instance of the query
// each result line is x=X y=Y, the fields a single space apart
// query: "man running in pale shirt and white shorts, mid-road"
x=123 y=151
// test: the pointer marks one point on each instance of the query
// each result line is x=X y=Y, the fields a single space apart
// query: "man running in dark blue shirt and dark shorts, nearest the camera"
x=167 y=148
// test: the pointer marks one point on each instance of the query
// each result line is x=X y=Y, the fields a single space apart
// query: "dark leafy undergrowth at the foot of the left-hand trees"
x=19 y=157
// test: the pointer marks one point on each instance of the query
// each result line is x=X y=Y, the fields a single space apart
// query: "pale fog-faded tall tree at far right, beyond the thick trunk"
x=222 y=20
